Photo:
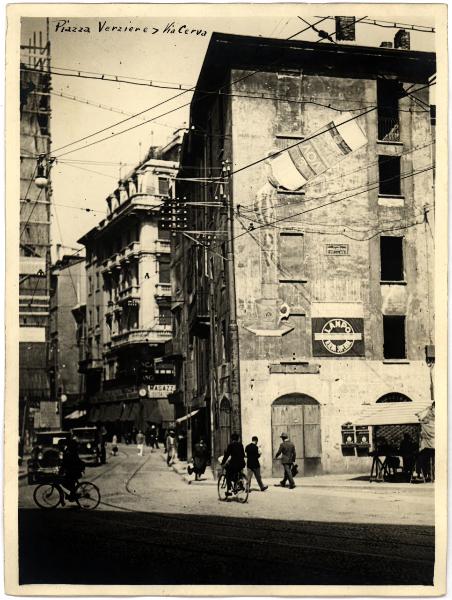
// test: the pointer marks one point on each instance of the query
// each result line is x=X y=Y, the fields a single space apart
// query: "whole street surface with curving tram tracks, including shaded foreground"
x=152 y=527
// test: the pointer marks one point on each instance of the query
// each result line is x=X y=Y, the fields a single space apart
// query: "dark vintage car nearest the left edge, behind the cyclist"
x=46 y=455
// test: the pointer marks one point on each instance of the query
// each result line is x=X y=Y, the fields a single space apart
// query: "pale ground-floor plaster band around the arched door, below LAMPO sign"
x=343 y=389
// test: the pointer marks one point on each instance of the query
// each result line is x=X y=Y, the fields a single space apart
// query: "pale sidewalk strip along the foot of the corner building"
x=336 y=480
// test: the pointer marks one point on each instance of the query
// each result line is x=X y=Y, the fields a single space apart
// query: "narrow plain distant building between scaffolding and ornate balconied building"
x=67 y=291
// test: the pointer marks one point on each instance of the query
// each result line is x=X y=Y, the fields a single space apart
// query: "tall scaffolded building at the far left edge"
x=36 y=409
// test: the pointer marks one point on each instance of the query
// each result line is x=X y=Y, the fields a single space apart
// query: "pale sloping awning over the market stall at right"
x=392 y=413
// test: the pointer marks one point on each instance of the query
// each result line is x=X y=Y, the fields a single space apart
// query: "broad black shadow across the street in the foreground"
x=128 y=547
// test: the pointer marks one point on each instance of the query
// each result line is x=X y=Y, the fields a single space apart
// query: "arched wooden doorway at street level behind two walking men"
x=299 y=416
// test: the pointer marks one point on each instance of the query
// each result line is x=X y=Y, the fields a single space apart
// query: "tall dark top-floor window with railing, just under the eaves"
x=388 y=95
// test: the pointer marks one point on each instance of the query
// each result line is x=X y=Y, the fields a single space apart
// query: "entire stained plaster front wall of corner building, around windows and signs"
x=353 y=216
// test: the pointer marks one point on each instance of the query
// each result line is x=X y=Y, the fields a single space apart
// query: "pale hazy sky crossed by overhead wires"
x=81 y=179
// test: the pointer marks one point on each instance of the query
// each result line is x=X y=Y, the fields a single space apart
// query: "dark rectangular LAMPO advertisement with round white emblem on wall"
x=338 y=336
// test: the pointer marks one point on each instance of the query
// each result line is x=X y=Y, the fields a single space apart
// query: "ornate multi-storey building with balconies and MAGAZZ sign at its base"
x=127 y=317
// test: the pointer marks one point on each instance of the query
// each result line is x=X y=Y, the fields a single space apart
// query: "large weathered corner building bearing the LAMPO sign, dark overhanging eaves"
x=303 y=302
